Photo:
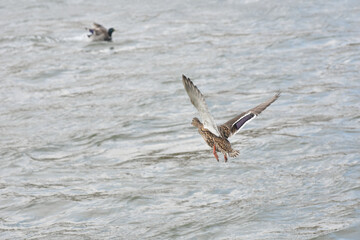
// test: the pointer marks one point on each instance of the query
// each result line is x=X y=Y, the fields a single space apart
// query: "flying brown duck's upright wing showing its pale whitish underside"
x=198 y=100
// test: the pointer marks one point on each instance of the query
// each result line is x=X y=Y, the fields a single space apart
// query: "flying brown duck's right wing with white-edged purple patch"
x=234 y=125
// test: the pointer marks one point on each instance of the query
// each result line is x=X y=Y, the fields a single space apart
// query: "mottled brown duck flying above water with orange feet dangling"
x=217 y=136
